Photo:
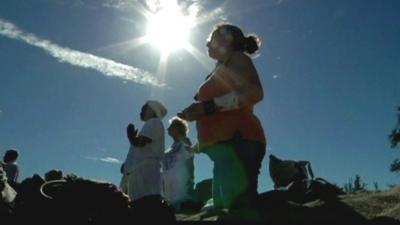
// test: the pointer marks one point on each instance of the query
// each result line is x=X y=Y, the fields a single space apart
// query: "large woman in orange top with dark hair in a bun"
x=228 y=131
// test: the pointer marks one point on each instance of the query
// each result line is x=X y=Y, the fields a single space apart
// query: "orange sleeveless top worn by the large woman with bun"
x=221 y=126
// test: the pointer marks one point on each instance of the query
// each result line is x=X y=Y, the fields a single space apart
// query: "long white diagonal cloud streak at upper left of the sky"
x=76 y=58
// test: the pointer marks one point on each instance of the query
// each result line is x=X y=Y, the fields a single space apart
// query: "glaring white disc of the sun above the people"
x=168 y=29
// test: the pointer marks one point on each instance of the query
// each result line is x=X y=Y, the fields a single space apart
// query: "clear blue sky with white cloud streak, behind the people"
x=71 y=79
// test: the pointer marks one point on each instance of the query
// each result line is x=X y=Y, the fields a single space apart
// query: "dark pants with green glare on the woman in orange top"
x=237 y=164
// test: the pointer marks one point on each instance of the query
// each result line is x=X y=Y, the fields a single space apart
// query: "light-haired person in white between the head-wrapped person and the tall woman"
x=178 y=165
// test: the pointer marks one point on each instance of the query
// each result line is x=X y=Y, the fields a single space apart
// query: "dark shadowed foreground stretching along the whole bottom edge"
x=77 y=200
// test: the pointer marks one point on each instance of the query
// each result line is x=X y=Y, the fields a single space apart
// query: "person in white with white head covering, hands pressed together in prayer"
x=142 y=165
